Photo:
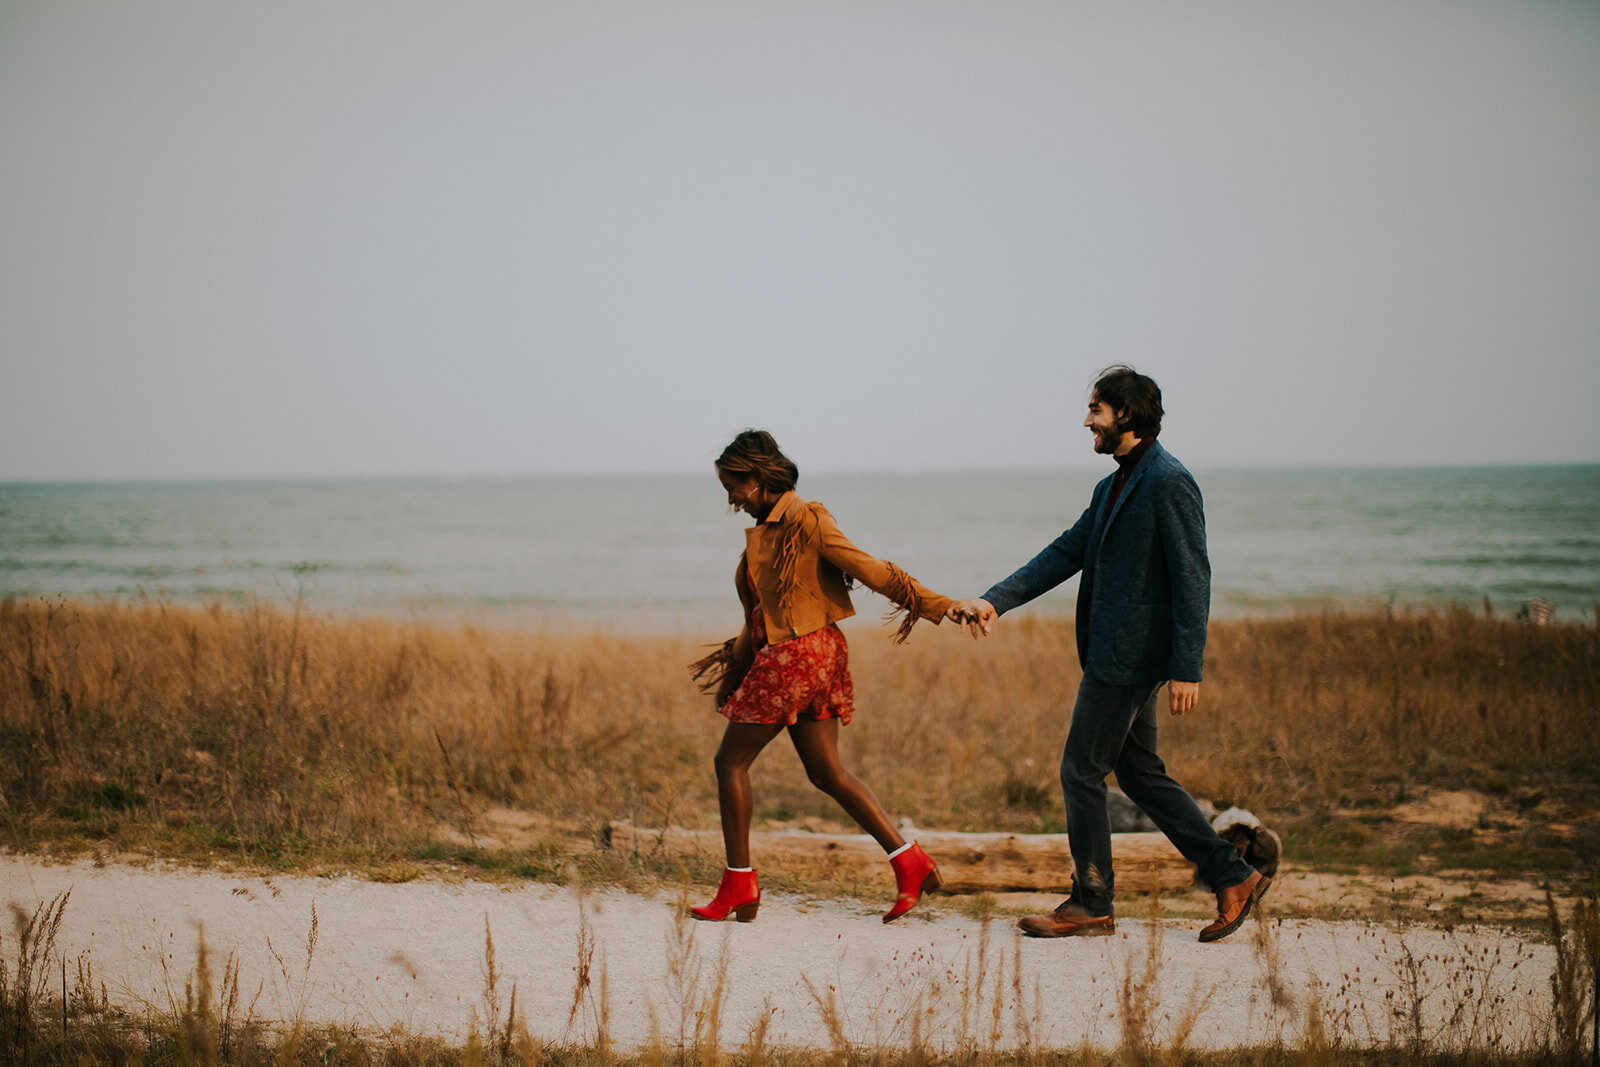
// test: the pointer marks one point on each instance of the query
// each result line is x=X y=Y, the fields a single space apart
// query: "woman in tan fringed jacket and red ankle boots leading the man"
x=790 y=665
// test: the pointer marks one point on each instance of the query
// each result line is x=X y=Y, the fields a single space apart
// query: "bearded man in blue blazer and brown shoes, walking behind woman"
x=1142 y=617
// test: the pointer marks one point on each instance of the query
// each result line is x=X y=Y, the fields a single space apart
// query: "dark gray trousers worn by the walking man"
x=1114 y=730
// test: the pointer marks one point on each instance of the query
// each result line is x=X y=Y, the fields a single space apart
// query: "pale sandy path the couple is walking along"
x=412 y=956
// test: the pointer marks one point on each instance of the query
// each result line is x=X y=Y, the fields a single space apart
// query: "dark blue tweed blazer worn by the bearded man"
x=1145 y=613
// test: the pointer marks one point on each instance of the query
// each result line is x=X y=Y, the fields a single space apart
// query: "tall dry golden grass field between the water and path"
x=279 y=737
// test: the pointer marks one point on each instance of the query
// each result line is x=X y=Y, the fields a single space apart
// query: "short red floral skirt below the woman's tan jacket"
x=806 y=677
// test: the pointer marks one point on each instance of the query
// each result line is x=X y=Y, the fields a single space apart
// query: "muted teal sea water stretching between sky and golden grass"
x=658 y=553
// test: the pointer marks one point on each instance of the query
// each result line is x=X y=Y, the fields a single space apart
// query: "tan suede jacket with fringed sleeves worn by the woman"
x=804 y=569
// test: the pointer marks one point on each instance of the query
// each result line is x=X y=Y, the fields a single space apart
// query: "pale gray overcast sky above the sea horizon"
x=388 y=238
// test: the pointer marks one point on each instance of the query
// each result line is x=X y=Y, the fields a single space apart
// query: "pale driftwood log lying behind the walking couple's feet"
x=970 y=863
